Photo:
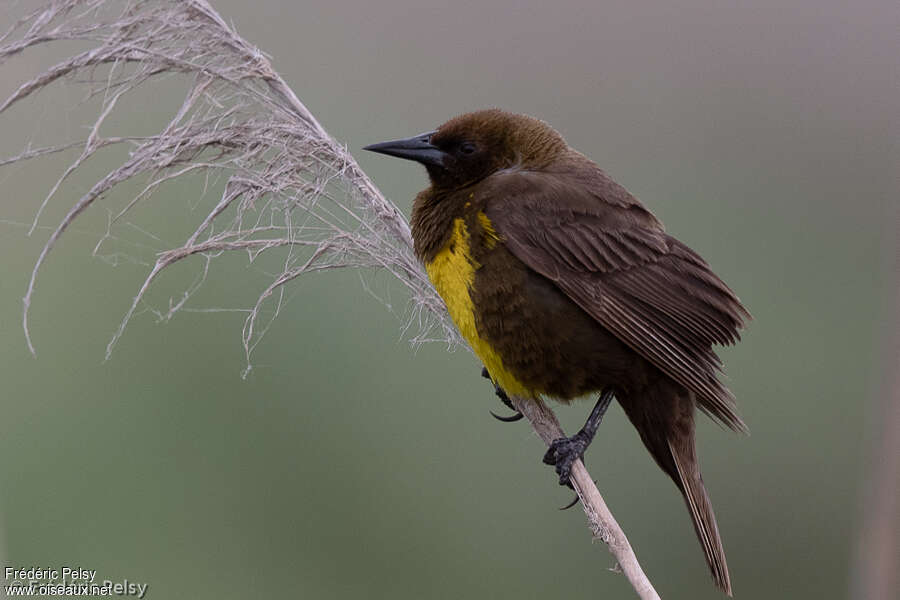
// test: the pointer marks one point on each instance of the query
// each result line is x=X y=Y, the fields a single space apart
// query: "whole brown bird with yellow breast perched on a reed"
x=565 y=285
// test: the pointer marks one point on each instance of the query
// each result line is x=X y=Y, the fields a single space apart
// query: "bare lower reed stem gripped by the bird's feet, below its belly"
x=601 y=522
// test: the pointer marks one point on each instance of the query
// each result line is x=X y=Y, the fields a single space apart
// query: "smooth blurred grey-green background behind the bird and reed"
x=763 y=134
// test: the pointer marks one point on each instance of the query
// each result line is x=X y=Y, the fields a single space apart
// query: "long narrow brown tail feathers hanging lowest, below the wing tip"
x=702 y=515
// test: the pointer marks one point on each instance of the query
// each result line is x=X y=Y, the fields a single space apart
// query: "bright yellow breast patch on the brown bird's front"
x=452 y=271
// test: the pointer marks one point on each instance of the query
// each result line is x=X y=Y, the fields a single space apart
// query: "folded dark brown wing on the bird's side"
x=613 y=258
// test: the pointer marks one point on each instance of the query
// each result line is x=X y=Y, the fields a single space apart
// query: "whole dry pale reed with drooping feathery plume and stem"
x=289 y=188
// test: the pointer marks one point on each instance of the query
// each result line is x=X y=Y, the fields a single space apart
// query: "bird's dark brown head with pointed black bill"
x=470 y=147
